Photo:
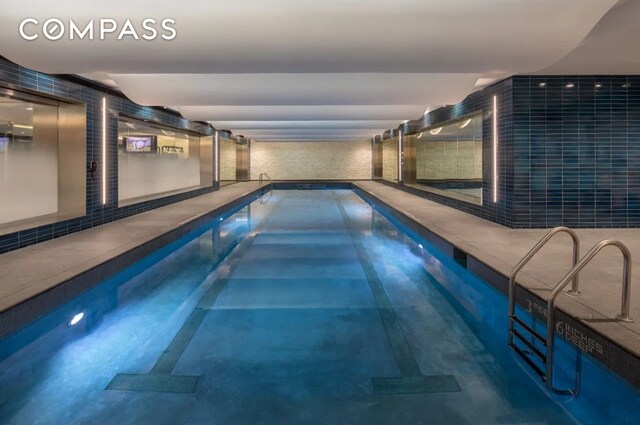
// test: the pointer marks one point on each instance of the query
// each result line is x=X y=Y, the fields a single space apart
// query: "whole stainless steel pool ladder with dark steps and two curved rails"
x=519 y=330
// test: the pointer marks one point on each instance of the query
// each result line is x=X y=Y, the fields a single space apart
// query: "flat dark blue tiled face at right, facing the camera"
x=576 y=142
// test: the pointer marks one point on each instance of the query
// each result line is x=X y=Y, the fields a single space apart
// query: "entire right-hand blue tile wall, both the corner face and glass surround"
x=569 y=151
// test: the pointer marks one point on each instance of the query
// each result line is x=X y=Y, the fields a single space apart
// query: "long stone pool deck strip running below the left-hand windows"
x=33 y=270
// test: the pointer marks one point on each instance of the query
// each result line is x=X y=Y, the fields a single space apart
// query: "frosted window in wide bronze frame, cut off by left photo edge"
x=42 y=160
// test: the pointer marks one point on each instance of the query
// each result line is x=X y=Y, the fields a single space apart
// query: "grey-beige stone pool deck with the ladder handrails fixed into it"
x=501 y=248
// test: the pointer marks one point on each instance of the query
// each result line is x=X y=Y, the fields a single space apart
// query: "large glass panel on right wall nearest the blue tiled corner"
x=449 y=159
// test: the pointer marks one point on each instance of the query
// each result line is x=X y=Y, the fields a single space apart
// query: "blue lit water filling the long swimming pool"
x=311 y=308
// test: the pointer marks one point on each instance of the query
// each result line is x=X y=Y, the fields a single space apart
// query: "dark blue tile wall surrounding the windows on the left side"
x=96 y=213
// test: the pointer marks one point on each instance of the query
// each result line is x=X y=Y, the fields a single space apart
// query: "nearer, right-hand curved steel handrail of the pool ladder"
x=551 y=302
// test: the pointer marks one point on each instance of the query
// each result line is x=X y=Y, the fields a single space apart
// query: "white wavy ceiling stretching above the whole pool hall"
x=287 y=69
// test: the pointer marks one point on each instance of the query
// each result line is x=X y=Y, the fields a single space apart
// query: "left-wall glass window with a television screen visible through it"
x=156 y=161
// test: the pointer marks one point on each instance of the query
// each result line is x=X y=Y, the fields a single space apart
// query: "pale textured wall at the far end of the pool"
x=311 y=160
